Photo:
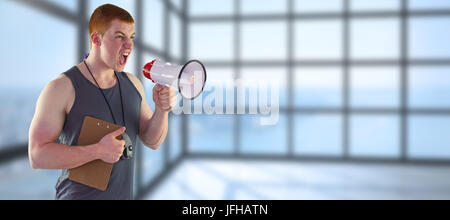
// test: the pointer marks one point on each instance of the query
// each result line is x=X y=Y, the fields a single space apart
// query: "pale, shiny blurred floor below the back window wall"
x=230 y=179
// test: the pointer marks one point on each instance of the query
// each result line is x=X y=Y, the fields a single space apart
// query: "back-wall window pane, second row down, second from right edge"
x=375 y=39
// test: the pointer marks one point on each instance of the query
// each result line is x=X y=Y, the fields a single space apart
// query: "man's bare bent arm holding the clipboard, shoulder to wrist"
x=46 y=126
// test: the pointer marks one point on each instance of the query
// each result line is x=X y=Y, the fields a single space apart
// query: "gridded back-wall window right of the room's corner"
x=359 y=78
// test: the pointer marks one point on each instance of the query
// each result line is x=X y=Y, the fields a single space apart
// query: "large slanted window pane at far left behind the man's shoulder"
x=38 y=49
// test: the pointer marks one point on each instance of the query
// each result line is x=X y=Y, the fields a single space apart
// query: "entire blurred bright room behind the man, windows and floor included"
x=364 y=95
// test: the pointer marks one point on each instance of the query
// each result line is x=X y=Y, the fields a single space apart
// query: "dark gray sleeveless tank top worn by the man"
x=90 y=102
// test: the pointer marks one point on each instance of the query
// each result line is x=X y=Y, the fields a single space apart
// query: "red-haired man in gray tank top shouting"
x=98 y=87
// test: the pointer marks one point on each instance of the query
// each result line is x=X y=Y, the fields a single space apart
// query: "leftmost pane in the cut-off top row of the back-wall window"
x=208 y=7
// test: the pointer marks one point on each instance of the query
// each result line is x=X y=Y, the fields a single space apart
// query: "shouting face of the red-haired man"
x=117 y=44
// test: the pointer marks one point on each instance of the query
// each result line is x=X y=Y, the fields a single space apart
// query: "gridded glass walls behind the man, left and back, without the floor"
x=355 y=79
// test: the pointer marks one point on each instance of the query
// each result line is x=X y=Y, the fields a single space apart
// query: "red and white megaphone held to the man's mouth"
x=189 y=78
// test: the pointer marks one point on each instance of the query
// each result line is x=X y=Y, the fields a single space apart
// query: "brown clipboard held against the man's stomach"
x=96 y=173
